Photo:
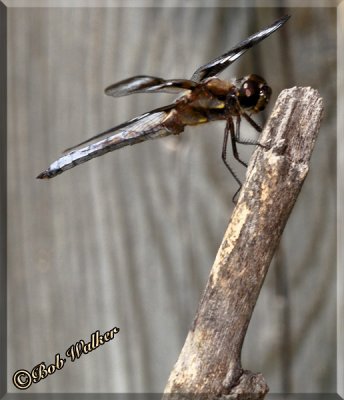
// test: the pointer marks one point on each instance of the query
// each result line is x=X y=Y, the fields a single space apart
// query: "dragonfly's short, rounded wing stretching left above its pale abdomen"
x=148 y=84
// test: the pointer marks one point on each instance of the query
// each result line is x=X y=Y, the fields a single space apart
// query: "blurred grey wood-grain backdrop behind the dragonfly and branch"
x=128 y=239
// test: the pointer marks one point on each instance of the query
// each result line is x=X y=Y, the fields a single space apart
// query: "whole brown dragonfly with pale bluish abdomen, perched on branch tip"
x=203 y=98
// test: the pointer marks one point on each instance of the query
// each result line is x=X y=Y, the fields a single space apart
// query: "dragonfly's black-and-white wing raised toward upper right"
x=220 y=63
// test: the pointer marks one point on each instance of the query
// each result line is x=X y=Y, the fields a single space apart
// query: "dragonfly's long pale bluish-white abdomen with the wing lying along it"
x=145 y=127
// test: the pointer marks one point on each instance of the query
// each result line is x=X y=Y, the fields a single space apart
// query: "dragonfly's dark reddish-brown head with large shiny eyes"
x=254 y=93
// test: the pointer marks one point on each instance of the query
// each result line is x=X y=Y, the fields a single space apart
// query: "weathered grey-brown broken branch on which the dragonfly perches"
x=210 y=362
